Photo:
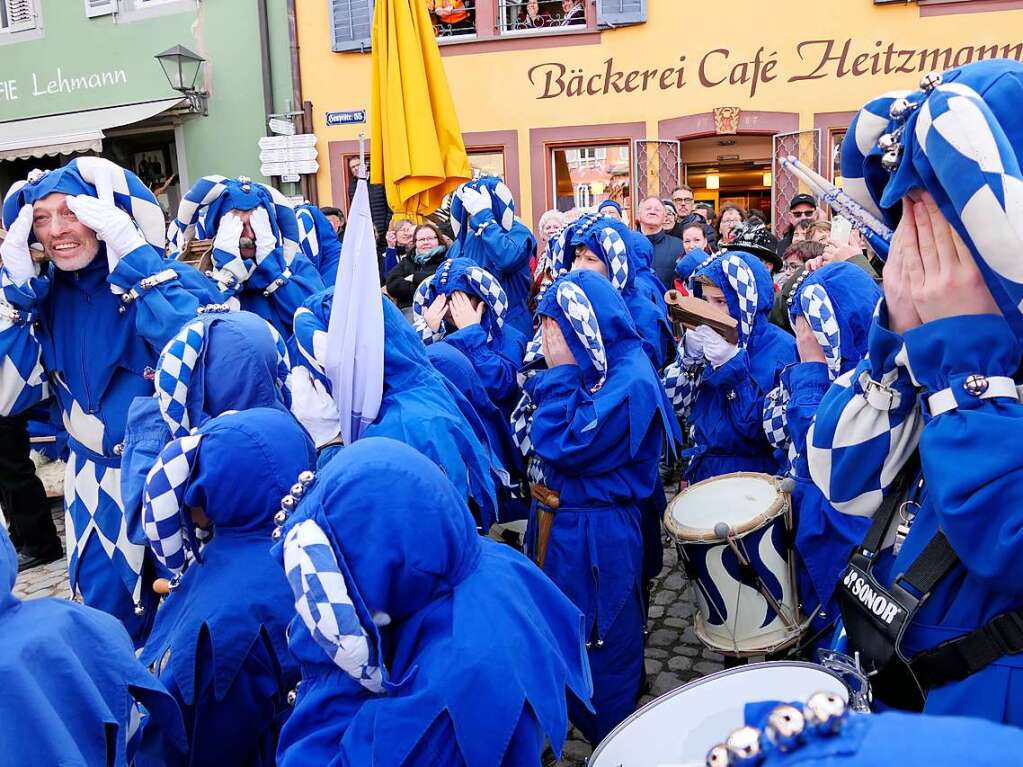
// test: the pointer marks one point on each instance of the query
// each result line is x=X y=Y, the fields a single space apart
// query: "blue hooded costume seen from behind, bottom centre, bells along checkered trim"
x=421 y=644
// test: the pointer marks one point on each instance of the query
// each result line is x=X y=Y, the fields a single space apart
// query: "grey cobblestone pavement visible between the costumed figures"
x=675 y=656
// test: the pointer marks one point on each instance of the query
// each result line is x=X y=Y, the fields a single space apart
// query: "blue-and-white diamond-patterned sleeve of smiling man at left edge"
x=23 y=379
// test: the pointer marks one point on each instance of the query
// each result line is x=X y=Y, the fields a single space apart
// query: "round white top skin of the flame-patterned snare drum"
x=735 y=500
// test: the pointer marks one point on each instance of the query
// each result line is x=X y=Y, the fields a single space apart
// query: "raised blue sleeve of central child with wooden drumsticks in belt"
x=571 y=430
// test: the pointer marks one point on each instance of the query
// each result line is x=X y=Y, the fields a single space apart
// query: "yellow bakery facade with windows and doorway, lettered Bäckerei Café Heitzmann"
x=634 y=97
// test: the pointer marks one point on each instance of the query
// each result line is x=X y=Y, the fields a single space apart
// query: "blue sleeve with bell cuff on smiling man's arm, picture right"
x=163 y=308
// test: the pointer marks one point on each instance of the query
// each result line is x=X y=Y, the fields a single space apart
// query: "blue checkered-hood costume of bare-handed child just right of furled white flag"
x=495 y=347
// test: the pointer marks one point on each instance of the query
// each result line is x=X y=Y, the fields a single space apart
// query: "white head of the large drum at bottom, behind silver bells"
x=680 y=728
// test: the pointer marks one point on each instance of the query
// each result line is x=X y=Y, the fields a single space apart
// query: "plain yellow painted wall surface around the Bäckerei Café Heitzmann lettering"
x=782 y=56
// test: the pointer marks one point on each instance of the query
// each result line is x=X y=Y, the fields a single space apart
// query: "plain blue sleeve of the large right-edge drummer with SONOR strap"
x=972 y=455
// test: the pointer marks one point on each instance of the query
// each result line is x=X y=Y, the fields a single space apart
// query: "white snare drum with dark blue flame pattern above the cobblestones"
x=733 y=533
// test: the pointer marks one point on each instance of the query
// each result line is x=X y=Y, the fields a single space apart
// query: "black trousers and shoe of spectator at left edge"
x=23 y=499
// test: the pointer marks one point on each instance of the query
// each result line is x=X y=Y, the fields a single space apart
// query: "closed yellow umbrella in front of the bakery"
x=417 y=152
